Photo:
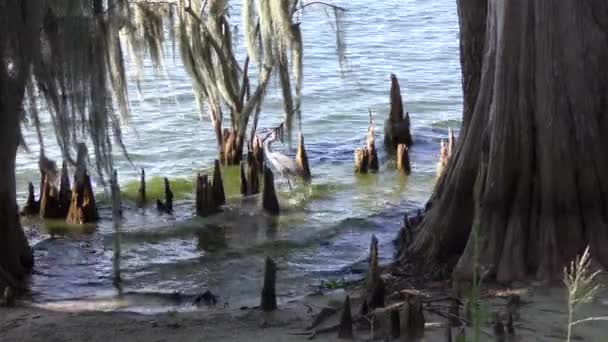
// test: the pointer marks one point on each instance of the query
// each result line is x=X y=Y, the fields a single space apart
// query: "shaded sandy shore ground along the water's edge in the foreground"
x=542 y=317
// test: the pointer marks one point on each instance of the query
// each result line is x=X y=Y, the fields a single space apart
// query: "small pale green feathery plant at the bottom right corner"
x=582 y=287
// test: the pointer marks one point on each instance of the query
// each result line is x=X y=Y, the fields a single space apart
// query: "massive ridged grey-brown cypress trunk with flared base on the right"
x=529 y=167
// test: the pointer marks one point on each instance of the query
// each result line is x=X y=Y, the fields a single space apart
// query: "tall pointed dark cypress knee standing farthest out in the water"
x=396 y=127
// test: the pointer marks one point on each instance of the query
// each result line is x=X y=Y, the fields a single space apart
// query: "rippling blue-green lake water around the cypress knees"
x=324 y=231
